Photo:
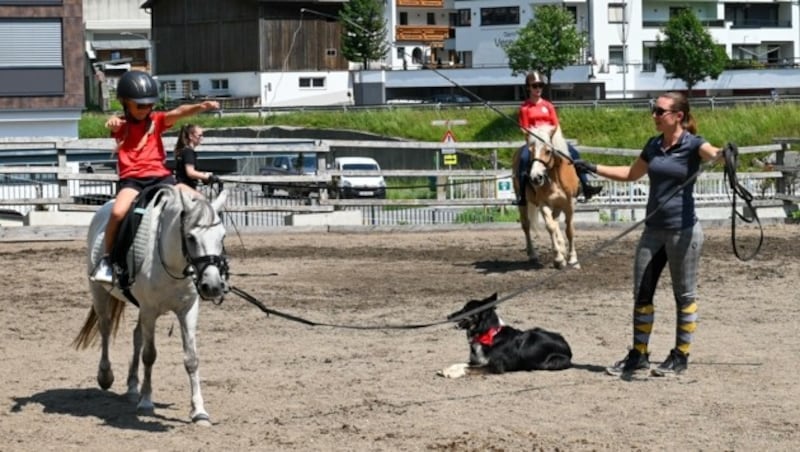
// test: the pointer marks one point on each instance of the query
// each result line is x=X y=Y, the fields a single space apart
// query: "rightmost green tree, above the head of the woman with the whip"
x=688 y=52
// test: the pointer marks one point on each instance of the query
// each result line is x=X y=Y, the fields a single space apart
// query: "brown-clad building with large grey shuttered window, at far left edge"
x=41 y=68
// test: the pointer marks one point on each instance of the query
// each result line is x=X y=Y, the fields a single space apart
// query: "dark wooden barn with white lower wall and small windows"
x=244 y=48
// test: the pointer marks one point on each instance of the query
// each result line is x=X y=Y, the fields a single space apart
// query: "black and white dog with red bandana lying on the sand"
x=497 y=348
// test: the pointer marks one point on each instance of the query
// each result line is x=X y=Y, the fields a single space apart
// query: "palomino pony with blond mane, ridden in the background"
x=551 y=189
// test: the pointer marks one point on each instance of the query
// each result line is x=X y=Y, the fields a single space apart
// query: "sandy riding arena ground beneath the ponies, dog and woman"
x=272 y=384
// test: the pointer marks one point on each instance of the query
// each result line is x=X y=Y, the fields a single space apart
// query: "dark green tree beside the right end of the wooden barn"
x=363 y=31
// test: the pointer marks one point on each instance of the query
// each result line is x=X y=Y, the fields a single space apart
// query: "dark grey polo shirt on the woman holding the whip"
x=668 y=169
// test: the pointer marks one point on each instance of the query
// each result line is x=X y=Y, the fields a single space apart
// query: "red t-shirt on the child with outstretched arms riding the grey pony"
x=140 y=151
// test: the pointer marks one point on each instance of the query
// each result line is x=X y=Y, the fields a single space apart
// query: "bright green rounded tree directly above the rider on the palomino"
x=547 y=43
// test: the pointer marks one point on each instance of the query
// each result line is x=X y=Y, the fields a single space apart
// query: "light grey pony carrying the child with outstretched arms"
x=179 y=259
